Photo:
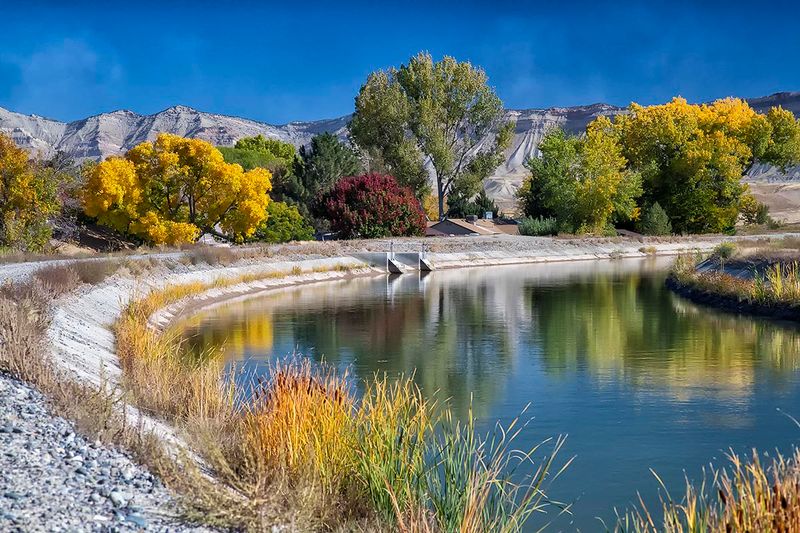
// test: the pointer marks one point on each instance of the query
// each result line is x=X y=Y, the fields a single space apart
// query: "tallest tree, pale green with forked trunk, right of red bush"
x=441 y=113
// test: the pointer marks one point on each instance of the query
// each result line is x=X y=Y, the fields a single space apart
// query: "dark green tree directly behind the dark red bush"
x=325 y=161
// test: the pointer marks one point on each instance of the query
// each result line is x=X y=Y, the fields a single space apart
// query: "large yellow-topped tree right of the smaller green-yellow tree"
x=692 y=157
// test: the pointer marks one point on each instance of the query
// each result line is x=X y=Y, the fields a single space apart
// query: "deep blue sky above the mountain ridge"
x=306 y=60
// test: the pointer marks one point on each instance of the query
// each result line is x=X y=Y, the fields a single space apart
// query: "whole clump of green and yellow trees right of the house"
x=689 y=159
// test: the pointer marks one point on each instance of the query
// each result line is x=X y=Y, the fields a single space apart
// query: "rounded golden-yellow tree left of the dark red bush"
x=172 y=190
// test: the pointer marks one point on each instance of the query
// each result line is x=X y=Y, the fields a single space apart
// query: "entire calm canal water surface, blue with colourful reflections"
x=635 y=377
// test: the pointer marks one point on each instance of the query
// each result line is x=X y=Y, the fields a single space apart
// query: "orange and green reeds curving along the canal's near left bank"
x=302 y=444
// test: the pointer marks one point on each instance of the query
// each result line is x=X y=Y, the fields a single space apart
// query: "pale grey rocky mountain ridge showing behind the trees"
x=113 y=133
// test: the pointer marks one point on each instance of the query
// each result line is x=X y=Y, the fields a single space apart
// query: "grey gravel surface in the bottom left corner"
x=52 y=479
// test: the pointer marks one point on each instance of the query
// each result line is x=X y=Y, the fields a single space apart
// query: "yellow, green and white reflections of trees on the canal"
x=460 y=332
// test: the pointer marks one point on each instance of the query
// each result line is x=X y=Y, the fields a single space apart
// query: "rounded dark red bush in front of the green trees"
x=370 y=206
